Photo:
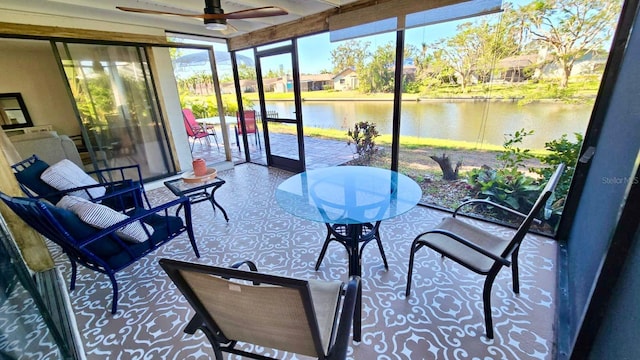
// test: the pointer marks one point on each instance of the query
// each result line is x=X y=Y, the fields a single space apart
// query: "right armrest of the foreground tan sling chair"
x=339 y=349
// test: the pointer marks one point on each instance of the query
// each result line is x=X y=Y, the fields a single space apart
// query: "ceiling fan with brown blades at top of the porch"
x=214 y=17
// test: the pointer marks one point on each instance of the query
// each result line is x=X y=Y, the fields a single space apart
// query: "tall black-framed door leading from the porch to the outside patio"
x=277 y=73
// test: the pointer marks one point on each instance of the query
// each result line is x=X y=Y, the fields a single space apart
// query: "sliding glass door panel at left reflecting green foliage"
x=115 y=99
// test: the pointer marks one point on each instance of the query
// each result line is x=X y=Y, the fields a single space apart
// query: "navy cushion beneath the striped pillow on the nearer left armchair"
x=108 y=249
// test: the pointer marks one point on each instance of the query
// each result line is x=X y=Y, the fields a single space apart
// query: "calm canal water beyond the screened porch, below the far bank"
x=477 y=122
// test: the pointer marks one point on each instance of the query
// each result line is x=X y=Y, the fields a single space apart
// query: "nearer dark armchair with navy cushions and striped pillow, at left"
x=101 y=238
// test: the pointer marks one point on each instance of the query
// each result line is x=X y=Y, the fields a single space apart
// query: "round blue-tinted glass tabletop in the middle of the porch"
x=348 y=194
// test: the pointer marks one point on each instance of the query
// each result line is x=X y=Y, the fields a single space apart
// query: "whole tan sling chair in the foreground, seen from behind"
x=305 y=317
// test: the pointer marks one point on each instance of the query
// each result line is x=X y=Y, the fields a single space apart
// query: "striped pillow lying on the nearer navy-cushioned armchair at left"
x=101 y=217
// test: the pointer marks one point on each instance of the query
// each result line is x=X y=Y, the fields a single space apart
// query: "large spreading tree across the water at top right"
x=571 y=28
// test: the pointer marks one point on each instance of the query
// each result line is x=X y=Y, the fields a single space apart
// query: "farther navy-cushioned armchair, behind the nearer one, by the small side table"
x=28 y=172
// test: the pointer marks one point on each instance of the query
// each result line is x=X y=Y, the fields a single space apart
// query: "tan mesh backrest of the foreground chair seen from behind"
x=278 y=313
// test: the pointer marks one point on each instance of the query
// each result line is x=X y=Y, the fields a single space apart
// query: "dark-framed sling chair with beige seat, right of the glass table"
x=480 y=251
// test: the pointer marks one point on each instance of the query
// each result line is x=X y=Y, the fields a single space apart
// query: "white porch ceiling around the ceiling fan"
x=80 y=10
